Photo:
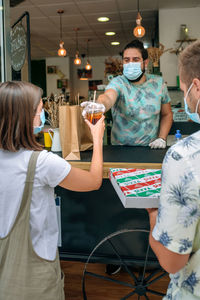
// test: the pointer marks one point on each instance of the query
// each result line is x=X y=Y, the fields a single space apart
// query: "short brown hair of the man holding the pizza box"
x=189 y=63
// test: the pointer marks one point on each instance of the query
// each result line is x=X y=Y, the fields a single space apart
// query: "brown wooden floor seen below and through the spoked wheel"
x=98 y=289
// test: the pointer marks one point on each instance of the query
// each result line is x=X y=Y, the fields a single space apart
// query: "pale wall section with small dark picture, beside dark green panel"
x=62 y=64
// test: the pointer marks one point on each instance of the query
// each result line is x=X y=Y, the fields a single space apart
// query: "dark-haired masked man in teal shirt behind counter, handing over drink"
x=139 y=102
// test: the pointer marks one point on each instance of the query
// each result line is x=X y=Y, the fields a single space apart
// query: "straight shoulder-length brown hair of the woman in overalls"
x=18 y=104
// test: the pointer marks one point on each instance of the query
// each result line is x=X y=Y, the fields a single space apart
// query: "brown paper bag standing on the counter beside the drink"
x=75 y=135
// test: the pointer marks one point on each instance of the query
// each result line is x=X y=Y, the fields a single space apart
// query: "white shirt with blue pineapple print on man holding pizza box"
x=178 y=221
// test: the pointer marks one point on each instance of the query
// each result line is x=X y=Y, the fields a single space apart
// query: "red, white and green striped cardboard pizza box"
x=137 y=188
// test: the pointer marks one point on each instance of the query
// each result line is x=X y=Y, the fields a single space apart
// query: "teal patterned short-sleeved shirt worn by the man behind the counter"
x=136 y=112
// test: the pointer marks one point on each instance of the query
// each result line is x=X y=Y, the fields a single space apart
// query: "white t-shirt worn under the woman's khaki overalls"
x=50 y=171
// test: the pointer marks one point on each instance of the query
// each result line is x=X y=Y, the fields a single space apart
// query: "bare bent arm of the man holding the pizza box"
x=170 y=261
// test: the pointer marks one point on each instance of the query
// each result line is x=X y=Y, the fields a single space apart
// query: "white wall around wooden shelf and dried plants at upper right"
x=170 y=21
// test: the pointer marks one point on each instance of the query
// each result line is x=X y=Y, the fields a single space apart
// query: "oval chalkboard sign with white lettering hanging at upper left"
x=18 y=47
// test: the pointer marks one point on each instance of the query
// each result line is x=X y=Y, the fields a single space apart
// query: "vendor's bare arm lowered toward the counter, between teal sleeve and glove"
x=166 y=120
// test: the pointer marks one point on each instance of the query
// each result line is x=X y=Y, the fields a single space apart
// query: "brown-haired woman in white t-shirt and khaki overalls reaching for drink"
x=29 y=261
